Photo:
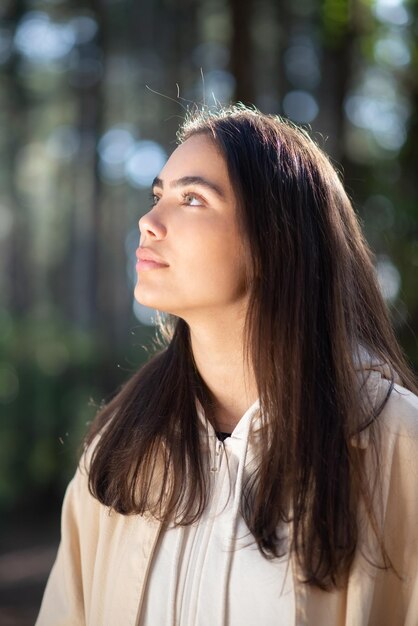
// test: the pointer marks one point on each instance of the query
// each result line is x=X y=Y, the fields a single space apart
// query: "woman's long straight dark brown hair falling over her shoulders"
x=315 y=305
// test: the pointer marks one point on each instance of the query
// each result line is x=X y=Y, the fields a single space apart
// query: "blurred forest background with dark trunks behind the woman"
x=81 y=137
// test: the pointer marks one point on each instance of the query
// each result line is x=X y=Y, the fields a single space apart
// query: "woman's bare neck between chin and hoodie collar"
x=218 y=351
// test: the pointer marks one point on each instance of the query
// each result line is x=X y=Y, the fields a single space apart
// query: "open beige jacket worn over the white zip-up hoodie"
x=104 y=558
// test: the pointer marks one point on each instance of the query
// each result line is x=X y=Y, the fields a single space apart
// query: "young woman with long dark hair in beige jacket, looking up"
x=263 y=467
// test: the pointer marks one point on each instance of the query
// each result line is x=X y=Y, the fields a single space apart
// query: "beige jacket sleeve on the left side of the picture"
x=66 y=597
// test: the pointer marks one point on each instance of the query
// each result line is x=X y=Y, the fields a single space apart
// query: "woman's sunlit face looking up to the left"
x=192 y=259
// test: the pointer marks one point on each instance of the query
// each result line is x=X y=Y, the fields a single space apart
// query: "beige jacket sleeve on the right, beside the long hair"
x=378 y=595
